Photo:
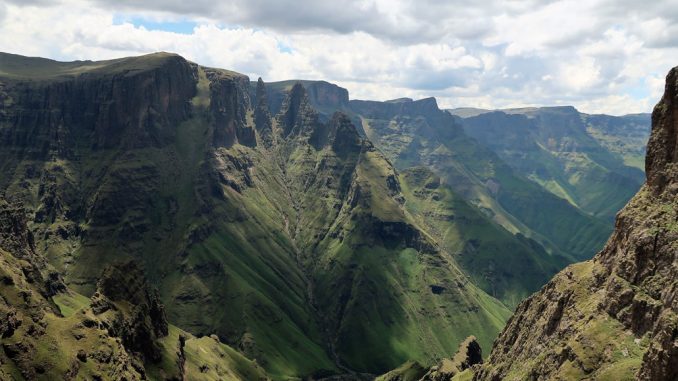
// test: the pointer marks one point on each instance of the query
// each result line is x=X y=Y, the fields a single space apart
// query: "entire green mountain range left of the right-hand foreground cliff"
x=203 y=225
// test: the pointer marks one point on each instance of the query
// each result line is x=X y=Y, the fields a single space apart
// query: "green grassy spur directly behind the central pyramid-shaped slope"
x=488 y=253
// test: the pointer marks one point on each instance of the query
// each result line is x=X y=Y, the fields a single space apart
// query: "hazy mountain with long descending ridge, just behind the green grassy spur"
x=419 y=133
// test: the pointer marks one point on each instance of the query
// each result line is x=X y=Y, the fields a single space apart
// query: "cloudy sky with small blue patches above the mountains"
x=601 y=56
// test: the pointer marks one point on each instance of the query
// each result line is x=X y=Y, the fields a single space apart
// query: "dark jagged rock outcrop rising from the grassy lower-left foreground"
x=143 y=320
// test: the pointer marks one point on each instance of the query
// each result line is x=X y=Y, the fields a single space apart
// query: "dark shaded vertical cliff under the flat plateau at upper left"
x=133 y=108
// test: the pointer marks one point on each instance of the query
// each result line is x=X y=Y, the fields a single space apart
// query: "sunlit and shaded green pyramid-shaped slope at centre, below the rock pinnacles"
x=383 y=292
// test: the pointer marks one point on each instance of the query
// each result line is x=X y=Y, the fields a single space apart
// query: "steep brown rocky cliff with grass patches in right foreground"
x=616 y=316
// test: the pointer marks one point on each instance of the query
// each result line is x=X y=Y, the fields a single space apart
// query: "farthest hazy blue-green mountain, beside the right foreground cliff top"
x=581 y=158
